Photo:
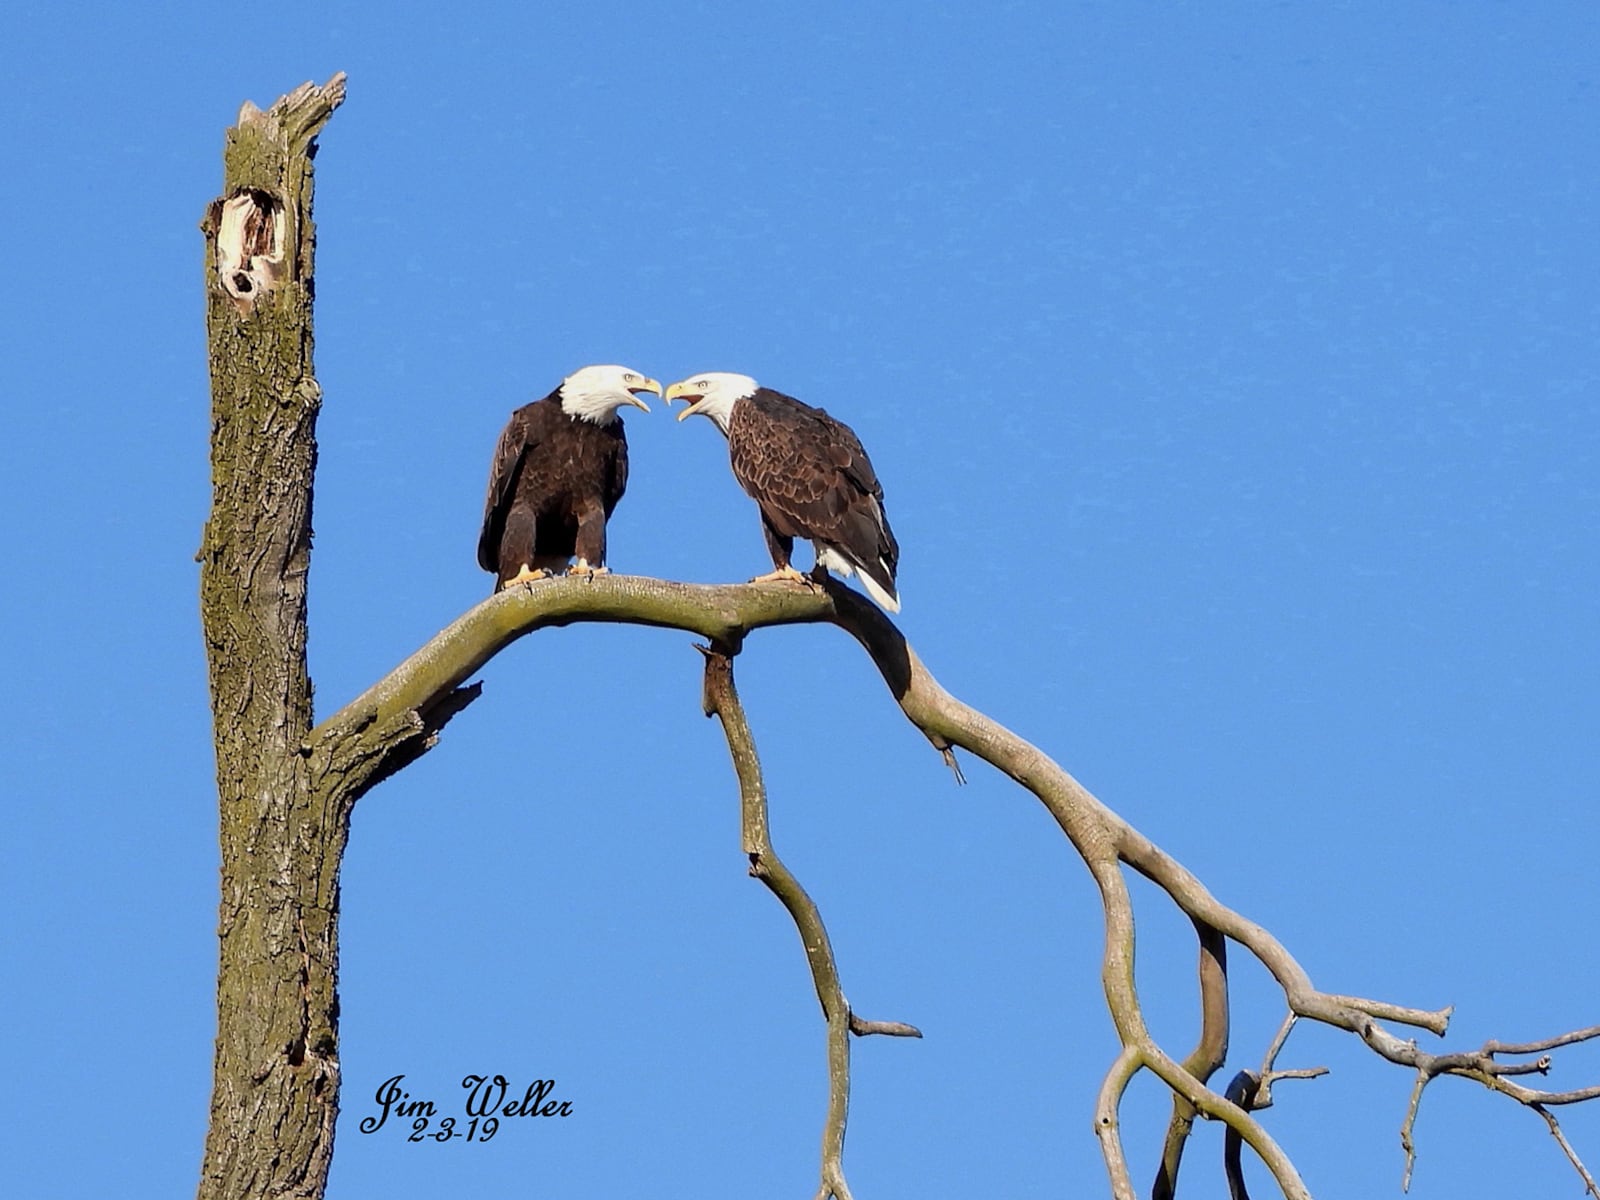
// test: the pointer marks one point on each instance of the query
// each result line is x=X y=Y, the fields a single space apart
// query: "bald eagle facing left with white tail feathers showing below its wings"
x=807 y=473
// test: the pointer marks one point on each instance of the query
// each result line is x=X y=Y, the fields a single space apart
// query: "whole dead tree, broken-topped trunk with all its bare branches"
x=287 y=785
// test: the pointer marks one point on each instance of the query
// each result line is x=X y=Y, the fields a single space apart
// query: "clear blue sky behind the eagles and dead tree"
x=1233 y=375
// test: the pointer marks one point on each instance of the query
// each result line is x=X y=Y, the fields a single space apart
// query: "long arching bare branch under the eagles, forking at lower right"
x=1108 y=844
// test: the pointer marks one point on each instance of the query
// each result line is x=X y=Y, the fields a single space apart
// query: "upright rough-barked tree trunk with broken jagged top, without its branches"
x=276 y=1087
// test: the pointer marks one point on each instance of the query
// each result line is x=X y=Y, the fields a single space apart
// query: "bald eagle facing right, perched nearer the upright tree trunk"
x=559 y=471
